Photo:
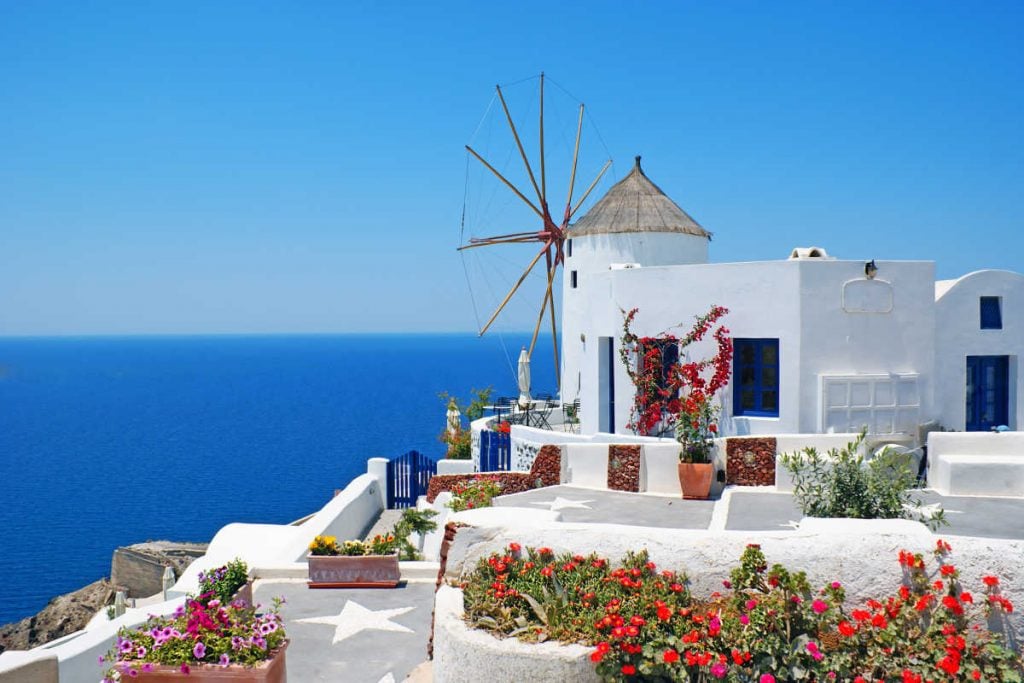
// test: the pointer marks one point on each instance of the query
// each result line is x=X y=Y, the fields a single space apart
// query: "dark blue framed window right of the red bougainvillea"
x=755 y=376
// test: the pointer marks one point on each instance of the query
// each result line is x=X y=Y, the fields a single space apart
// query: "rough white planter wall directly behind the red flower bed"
x=862 y=554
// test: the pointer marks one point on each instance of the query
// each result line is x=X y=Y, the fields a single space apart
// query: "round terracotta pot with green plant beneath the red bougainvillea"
x=695 y=432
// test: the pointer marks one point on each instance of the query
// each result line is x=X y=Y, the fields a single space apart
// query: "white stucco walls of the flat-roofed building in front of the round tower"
x=830 y=320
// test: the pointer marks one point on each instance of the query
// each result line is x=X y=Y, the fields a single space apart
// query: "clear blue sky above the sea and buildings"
x=300 y=167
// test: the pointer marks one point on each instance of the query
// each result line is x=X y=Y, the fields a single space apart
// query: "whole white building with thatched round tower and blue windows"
x=821 y=346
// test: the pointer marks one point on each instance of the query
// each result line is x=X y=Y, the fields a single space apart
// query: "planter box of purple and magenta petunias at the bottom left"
x=206 y=641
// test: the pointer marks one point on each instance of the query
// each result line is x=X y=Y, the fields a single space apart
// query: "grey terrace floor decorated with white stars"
x=380 y=636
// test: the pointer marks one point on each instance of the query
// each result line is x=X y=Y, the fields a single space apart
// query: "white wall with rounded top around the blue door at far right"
x=959 y=335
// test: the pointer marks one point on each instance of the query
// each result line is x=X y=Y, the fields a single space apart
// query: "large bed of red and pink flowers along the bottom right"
x=766 y=625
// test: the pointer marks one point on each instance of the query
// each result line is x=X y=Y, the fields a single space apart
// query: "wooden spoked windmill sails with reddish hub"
x=551 y=236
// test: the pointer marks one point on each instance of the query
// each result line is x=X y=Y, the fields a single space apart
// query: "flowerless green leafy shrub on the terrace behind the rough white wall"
x=840 y=485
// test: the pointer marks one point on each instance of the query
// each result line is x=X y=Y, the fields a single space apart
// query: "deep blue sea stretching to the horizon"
x=107 y=442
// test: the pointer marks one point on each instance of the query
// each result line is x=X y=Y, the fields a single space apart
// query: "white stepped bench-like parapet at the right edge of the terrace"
x=976 y=463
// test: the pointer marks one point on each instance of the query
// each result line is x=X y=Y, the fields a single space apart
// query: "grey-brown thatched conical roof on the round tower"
x=636 y=205
